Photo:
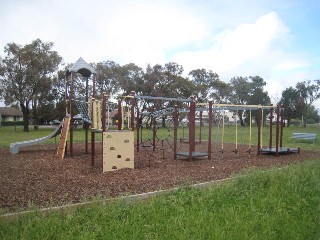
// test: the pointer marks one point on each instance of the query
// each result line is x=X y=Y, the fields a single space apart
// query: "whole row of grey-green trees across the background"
x=33 y=78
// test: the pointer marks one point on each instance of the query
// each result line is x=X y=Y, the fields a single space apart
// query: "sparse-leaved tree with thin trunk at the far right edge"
x=309 y=92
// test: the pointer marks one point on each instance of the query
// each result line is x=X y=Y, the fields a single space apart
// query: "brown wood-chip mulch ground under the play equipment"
x=37 y=176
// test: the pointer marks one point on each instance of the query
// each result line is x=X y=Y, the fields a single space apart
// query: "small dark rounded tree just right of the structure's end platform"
x=289 y=101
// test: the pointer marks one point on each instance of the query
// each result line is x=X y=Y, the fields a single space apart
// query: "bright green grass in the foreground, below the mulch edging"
x=279 y=204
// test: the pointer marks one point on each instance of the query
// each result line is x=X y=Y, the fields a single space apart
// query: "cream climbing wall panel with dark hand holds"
x=118 y=150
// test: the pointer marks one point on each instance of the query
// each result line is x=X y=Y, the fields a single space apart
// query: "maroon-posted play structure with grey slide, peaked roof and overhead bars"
x=148 y=113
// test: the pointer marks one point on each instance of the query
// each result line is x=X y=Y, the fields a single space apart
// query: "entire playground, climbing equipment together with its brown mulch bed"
x=154 y=143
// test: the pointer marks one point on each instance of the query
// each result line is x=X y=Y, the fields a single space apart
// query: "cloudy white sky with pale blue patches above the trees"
x=275 y=39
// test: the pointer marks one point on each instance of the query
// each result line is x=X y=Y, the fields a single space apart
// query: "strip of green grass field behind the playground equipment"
x=12 y=134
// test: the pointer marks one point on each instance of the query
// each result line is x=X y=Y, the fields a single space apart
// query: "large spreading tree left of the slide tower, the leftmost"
x=27 y=75
